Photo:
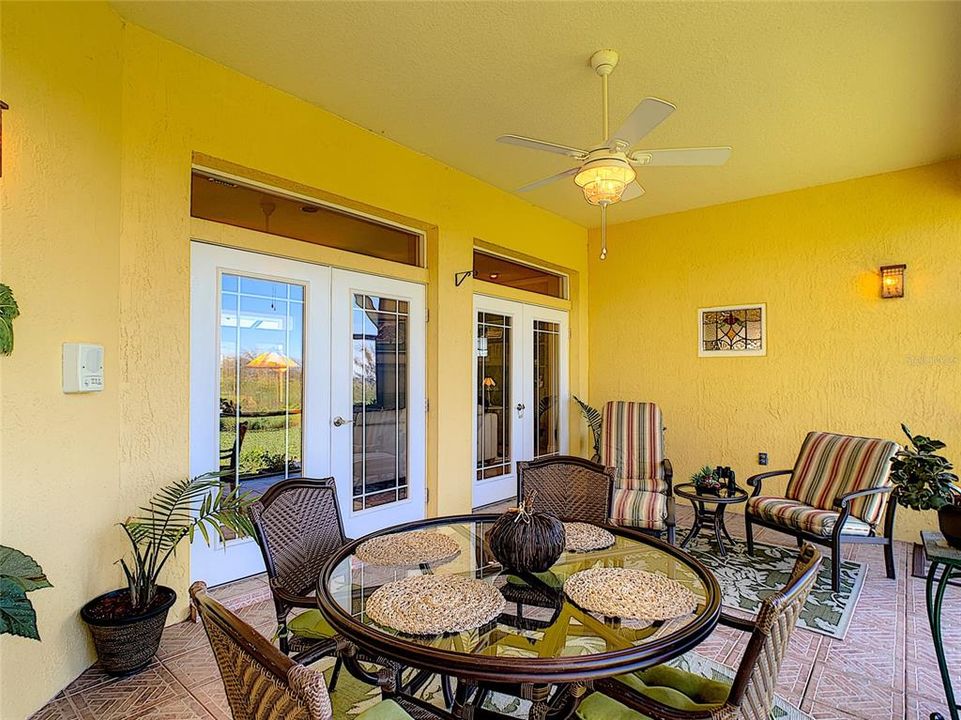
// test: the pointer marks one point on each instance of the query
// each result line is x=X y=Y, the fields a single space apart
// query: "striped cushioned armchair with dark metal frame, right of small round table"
x=838 y=492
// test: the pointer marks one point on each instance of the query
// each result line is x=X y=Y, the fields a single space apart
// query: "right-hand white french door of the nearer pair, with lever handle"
x=378 y=400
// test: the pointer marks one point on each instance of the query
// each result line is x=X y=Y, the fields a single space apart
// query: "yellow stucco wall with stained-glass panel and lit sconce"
x=839 y=358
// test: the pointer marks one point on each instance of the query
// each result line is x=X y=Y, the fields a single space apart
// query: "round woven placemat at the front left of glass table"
x=435 y=604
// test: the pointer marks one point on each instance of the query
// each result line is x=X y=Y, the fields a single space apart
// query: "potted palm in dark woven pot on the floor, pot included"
x=126 y=624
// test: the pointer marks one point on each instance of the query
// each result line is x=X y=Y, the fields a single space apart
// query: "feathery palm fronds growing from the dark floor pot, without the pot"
x=178 y=511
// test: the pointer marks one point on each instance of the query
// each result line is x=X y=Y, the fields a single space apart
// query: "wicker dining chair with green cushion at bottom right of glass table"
x=668 y=693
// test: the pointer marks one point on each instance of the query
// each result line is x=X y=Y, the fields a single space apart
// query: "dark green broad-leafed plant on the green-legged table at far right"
x=923 y=478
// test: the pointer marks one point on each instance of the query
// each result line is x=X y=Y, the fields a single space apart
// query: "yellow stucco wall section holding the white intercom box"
x=59 y=454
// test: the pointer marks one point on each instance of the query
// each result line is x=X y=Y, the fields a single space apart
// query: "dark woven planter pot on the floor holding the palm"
x=126 y=645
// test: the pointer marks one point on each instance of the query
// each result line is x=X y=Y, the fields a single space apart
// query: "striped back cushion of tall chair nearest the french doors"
x=632 y=439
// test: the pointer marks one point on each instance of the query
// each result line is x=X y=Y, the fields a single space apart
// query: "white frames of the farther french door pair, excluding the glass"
x=485 y=492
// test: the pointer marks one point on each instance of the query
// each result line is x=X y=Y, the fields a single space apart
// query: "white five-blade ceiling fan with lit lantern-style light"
x=605 y=173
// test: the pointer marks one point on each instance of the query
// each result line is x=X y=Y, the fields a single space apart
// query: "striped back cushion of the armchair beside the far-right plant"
x=831 y=465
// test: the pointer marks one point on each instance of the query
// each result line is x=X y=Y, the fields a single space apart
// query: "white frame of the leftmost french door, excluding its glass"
x=222 y=562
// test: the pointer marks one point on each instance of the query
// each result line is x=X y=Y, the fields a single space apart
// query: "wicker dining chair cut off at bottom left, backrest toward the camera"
x=262 y=683
